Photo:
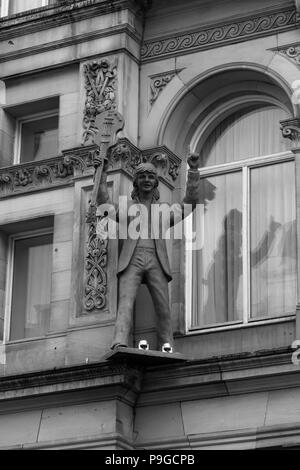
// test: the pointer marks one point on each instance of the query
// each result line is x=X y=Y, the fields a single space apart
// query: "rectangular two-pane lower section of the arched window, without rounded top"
x=245 y=268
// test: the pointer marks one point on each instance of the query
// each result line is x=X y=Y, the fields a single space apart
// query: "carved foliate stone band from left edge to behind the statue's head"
x=78 y=162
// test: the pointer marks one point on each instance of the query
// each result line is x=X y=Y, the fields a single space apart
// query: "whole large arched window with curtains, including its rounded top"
x=245 y=266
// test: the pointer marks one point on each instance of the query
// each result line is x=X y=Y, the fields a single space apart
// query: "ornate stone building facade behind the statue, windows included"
x=219 y=77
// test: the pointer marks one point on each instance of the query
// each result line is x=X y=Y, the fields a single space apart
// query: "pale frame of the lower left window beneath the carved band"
x=9 y=278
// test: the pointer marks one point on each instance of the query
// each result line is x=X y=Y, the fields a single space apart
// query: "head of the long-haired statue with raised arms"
x=140 y=183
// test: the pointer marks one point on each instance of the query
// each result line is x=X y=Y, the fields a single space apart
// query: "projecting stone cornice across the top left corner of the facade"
x=56 y=15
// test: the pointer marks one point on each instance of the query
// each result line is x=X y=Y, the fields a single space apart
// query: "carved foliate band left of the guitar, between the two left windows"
x=48 y=173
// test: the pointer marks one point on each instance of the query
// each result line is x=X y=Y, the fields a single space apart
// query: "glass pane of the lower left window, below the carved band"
x=30 y=311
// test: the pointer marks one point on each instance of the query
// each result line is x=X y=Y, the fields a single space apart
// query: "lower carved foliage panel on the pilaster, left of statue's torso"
x=95 y=269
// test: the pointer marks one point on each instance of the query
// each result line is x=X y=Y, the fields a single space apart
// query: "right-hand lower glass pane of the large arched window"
x=273 y=240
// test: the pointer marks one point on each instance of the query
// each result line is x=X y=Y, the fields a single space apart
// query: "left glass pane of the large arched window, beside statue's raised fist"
x=217 y=266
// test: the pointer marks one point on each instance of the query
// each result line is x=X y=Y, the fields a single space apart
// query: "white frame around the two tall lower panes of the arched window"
x=244 y=166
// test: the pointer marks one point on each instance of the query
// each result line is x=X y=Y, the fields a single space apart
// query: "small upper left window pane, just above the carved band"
x=39 y=139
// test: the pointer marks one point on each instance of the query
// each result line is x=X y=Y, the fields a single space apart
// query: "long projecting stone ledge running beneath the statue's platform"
x=272 y=370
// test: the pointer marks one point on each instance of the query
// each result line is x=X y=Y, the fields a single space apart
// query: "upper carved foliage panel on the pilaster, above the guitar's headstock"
x=100 y=85
